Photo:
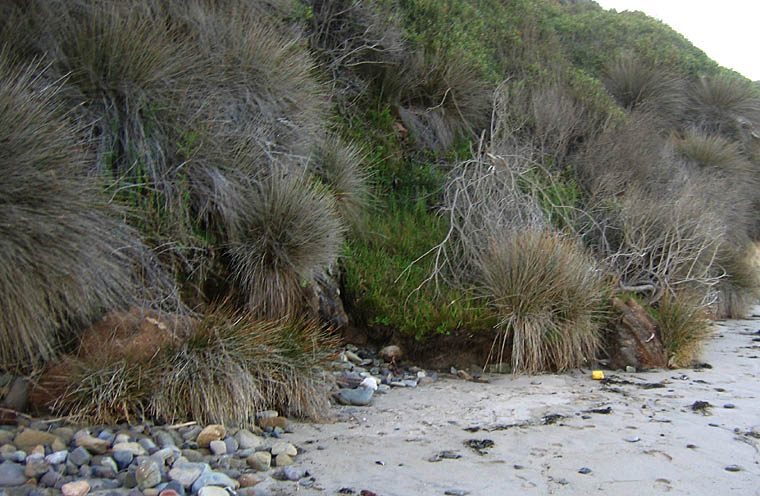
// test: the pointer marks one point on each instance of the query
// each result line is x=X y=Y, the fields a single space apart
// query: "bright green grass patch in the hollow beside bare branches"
x=387 y=292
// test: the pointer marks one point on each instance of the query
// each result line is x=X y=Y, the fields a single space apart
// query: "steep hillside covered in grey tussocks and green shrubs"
x=466 y=167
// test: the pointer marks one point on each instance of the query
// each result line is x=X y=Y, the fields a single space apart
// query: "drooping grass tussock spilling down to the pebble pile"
x=233 y=365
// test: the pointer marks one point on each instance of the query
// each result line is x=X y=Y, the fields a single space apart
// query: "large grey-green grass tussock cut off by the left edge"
x=67 y=259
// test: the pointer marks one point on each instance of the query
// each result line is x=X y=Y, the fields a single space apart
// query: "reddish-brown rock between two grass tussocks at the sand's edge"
x=635 y=338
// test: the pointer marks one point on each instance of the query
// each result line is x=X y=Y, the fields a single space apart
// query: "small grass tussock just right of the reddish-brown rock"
x=684 y=327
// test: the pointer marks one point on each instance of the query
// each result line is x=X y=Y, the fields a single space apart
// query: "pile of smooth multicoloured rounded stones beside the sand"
x=143 y=460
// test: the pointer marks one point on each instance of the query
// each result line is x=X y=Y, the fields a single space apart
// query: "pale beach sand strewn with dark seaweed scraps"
x=651 y=442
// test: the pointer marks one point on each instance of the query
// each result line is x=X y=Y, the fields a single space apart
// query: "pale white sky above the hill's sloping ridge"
x=728 y=31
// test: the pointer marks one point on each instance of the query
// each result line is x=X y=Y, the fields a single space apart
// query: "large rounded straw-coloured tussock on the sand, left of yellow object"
x=549 y=294
